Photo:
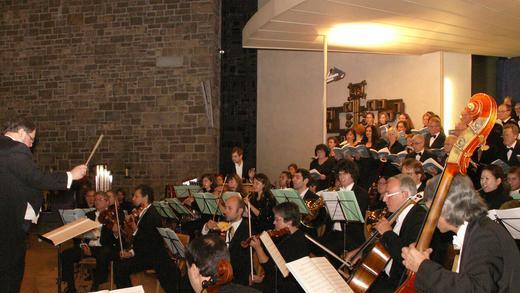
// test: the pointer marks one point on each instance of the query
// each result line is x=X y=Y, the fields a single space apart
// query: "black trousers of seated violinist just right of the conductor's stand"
x=102 y=254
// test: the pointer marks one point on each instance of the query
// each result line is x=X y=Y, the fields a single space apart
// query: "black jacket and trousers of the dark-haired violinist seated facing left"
x=150 y=252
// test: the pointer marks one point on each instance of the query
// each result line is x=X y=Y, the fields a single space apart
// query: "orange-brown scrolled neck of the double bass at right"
x=480 y=115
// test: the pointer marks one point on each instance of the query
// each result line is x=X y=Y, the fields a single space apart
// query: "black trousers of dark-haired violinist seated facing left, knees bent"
x=167 y=271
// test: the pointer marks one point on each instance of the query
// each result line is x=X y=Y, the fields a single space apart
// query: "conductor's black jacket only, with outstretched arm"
x=21 y=182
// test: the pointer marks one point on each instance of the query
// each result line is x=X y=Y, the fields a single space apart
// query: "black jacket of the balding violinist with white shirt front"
x=240 y=256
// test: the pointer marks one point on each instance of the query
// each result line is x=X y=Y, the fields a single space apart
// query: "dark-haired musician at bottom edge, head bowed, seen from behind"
x=209 y=268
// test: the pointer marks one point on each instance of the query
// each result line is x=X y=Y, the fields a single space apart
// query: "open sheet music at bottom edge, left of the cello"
x=317 y=275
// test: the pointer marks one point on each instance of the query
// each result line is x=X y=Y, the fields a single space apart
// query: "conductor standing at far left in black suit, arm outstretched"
x=21 y=182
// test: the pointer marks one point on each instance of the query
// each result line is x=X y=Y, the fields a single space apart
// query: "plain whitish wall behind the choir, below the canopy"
x=290 y=95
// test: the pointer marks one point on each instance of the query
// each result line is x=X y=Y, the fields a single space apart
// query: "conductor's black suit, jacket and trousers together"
x=20 y=183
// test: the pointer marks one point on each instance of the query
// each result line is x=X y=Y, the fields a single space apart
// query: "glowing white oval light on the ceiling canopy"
x=361 y=35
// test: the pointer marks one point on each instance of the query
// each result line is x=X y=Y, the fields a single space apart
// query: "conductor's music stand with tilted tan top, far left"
x=64 y=233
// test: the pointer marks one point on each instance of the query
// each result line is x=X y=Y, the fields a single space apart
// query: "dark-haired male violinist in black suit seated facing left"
x=148 y=246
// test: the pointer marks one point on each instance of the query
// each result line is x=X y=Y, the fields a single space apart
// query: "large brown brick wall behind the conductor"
x=128 y=69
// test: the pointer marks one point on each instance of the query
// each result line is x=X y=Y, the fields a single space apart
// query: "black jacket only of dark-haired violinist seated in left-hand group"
x=148 y=243
